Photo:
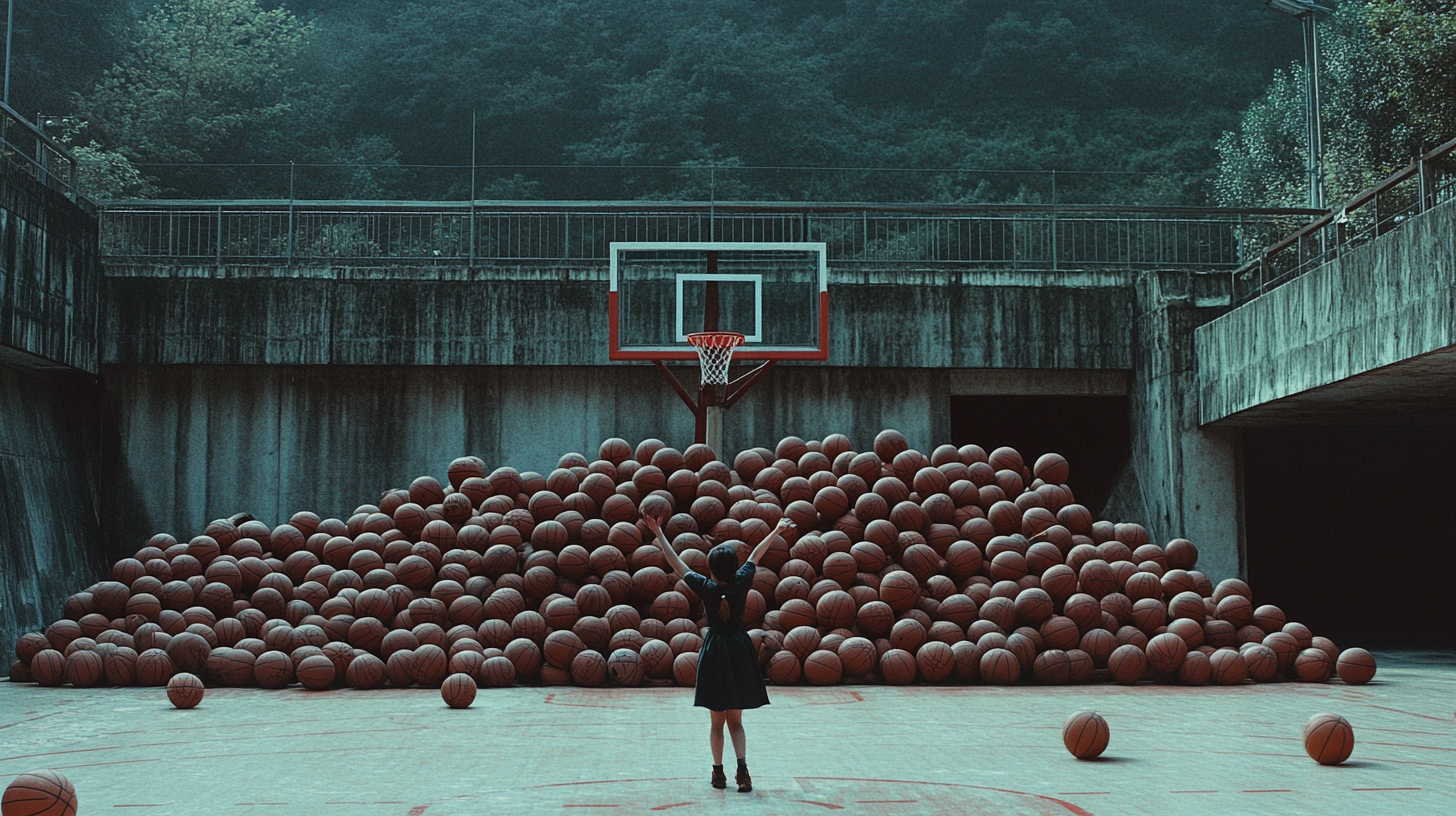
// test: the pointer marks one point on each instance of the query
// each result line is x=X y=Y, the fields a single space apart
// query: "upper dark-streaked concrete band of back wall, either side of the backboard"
x=557 y=315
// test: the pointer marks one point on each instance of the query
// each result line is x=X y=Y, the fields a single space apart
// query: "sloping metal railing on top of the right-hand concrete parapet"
x=1387 y=206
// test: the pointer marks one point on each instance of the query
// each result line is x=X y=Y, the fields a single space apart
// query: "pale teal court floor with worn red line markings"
x=864 y=750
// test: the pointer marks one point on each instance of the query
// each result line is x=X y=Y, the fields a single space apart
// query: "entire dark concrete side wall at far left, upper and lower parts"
x=50 y=409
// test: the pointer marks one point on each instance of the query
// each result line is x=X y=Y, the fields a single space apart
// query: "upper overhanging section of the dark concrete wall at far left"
x=50 y=276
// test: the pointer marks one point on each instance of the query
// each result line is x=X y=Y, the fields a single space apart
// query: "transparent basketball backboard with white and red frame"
x=775 y=295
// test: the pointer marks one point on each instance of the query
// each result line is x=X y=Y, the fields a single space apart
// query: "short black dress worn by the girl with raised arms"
x=729 y=672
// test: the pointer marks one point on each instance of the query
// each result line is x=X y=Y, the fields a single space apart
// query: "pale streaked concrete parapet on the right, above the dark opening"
x=1380 y=305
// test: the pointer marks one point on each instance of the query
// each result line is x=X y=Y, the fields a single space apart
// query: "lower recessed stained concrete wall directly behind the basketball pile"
x=191 y=444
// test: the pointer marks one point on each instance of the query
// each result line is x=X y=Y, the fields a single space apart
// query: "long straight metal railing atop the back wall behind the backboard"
x=1033 y=237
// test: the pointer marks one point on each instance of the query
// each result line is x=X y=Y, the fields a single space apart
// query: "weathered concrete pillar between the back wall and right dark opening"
x=1190 y=479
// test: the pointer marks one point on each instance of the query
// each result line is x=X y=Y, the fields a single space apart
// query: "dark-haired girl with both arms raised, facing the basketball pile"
x=729 y=674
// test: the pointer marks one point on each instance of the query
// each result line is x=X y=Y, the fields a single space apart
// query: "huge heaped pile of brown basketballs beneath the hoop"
x=957 y=568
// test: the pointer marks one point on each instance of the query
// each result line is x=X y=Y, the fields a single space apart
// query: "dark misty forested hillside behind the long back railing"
x=375 y=98
